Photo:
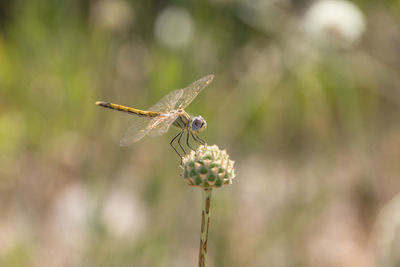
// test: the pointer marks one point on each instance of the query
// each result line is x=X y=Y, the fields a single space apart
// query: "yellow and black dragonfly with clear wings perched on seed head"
x=168 y=111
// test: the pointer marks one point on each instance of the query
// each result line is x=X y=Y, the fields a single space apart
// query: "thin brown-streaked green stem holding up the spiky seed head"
x=205 y=224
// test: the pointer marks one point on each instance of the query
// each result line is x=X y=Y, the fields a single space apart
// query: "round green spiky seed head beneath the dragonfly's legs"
x=208 y=167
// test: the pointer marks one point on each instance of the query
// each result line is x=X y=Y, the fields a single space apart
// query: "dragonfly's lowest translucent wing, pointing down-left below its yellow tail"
x=137 y=131
